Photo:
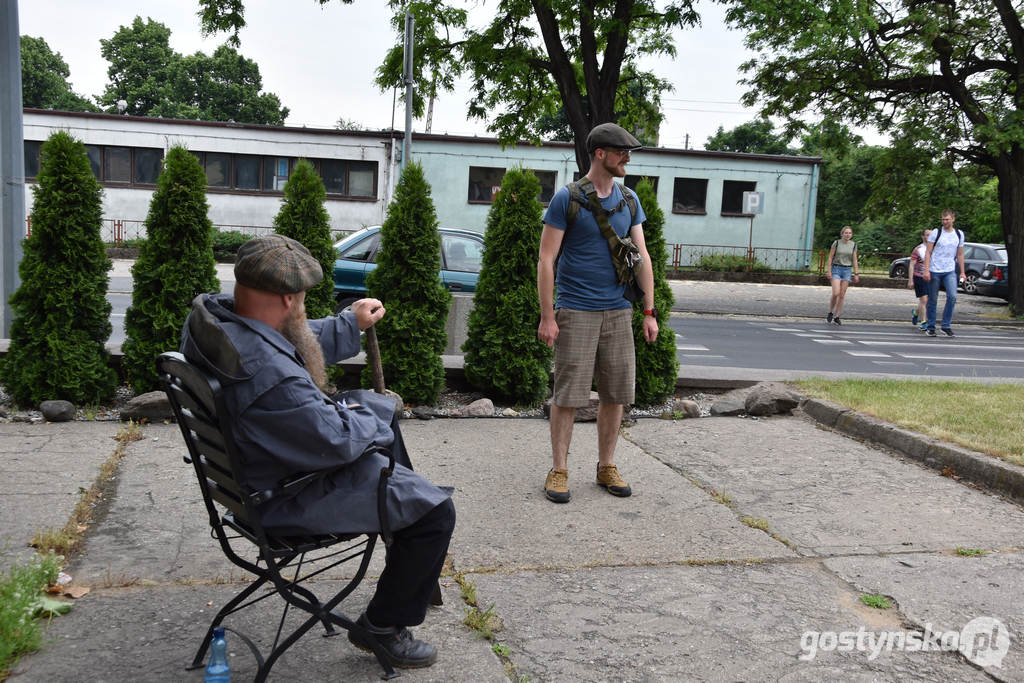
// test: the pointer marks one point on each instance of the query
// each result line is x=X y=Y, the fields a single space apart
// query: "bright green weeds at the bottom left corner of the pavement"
x=21 y=591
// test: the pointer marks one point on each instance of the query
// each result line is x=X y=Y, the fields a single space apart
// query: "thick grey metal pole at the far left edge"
x=12 y=158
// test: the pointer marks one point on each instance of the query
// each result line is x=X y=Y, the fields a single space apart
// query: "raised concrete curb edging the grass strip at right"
x=979 y=469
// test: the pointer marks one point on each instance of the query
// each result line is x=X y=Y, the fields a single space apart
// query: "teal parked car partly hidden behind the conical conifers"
x=462 y=255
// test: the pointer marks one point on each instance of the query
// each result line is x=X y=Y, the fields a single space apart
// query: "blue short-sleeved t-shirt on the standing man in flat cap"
x=586 y=278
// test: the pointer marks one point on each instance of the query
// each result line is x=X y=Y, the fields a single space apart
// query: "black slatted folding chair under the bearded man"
x=235 y=521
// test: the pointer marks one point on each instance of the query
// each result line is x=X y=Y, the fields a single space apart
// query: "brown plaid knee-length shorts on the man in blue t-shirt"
x=594 y=346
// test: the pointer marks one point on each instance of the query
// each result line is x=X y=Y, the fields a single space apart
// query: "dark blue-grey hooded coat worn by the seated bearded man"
x=285 y=426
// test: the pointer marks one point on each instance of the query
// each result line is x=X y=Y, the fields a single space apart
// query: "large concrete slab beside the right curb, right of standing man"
x=829 y=494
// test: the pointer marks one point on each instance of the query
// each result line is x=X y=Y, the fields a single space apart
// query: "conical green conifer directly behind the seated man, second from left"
x=176 y=265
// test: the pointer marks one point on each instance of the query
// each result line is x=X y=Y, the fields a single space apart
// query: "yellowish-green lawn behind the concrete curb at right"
x=988 y=418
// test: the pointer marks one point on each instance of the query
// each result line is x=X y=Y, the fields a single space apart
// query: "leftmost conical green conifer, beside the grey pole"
x=62 y=317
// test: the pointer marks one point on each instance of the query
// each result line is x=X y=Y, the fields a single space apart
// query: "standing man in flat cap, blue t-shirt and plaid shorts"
x=590 y=323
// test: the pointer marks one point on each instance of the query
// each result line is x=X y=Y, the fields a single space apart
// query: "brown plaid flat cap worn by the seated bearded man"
x=276 y=264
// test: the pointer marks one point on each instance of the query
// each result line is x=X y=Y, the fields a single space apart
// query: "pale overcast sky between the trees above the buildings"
x=321 y=62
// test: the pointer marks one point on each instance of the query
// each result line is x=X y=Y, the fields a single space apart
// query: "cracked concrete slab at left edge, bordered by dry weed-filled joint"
x=44 y=468
